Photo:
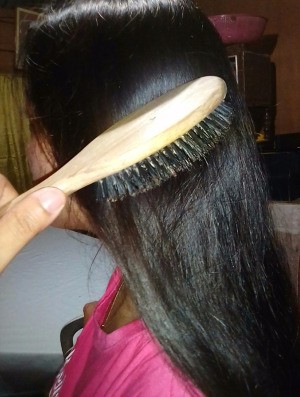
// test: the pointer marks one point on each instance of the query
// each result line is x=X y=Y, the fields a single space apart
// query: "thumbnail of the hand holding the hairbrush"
x=51 y=199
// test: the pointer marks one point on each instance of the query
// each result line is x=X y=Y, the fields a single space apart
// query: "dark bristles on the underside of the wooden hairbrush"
x=176 y=157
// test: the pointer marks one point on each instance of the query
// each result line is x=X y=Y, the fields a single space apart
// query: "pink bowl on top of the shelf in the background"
x=239 y=28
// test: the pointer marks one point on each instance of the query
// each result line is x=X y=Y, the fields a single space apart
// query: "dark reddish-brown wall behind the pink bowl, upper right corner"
x=283 y=20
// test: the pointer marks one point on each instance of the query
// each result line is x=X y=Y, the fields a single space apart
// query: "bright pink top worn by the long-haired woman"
x=125 y=363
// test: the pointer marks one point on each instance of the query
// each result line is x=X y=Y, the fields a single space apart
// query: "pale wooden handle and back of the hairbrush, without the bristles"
x=139 y=135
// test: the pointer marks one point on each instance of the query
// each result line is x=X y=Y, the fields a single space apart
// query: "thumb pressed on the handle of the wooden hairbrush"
x=27 y=218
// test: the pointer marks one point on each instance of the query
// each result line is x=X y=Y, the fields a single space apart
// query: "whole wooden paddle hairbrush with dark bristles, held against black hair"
x=182 y=125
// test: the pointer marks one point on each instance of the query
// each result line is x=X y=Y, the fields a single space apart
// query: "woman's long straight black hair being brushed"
x=198 y=253
